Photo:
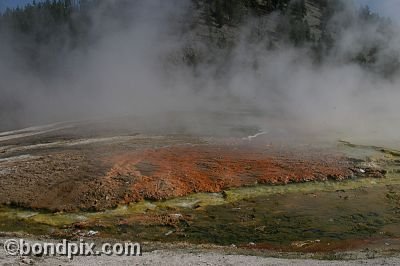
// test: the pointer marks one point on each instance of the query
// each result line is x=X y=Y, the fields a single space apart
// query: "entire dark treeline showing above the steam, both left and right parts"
x=43 y=31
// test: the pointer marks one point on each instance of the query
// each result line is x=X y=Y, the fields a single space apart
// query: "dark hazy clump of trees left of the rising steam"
x=42 y=31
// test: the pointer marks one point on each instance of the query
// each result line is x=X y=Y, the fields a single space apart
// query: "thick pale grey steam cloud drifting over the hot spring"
x=136 y=64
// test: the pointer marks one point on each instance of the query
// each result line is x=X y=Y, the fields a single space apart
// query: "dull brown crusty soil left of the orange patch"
x=62 y=181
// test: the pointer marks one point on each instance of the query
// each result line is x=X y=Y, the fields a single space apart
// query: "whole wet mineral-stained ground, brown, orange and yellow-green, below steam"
x=306 y=198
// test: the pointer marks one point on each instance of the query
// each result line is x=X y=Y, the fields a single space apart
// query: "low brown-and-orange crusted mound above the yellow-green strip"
x=71 y=180
